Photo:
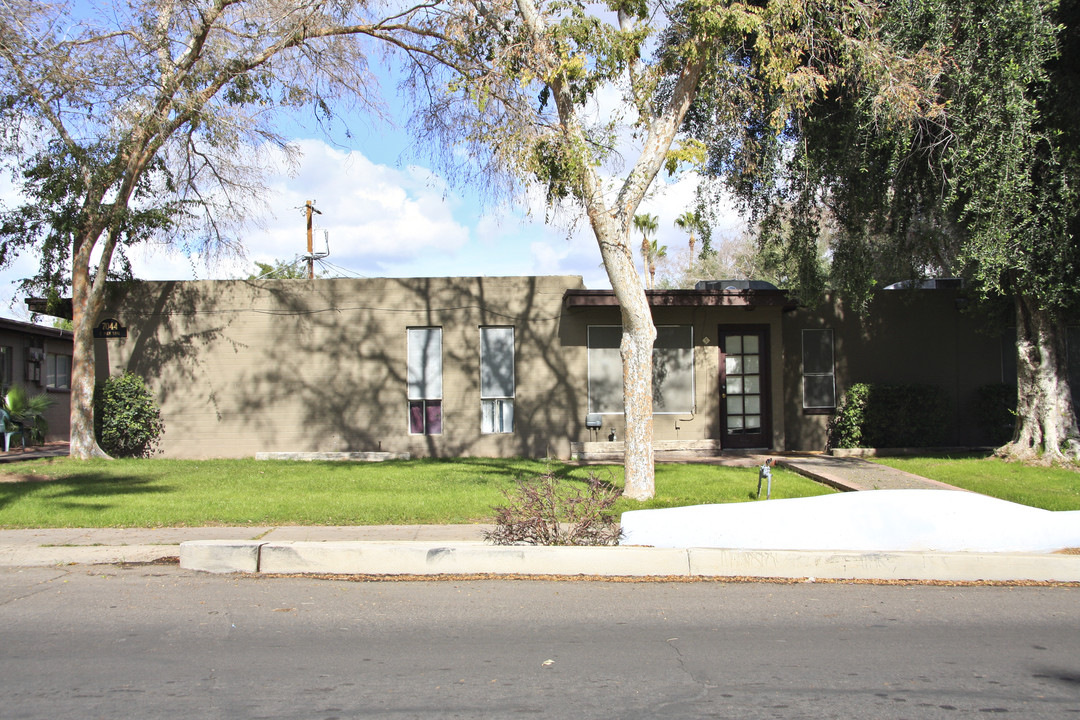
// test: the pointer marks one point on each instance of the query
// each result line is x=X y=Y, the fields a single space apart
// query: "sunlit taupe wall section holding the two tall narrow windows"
x=248 y=366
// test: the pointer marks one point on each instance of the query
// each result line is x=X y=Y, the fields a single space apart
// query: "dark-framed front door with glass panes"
x=745 y=384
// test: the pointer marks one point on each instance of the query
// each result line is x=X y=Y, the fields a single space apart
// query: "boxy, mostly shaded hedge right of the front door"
x=873 y=416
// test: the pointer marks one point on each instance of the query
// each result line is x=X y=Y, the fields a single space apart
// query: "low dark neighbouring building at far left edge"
x=39 y=359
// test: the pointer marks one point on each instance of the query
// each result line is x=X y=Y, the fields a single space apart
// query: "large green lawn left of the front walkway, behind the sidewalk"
x=67 y=494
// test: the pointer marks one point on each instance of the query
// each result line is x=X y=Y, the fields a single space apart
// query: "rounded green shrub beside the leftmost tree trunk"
x=127 y=419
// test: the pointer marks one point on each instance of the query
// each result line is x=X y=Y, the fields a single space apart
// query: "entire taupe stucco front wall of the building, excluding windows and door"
x=249 y=366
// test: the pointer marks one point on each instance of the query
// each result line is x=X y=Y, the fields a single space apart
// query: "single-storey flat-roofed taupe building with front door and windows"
x=519 y=366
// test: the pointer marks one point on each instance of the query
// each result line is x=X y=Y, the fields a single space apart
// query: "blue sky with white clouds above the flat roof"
x=385 y=214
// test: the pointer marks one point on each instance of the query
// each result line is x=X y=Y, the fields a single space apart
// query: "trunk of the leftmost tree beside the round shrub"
x=84 y=316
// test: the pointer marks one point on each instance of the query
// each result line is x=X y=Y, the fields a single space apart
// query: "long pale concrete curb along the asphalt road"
x=428 y=559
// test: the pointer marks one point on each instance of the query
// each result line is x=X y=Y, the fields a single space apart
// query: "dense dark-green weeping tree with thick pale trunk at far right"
x=982 y=184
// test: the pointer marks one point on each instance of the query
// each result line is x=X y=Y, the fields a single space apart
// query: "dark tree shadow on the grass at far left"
x=66 y=491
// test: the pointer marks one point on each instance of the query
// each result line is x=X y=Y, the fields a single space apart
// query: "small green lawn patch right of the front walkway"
x=1050 y=488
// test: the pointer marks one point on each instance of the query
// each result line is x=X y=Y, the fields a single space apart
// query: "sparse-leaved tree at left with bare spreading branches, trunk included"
x=150 y=118
